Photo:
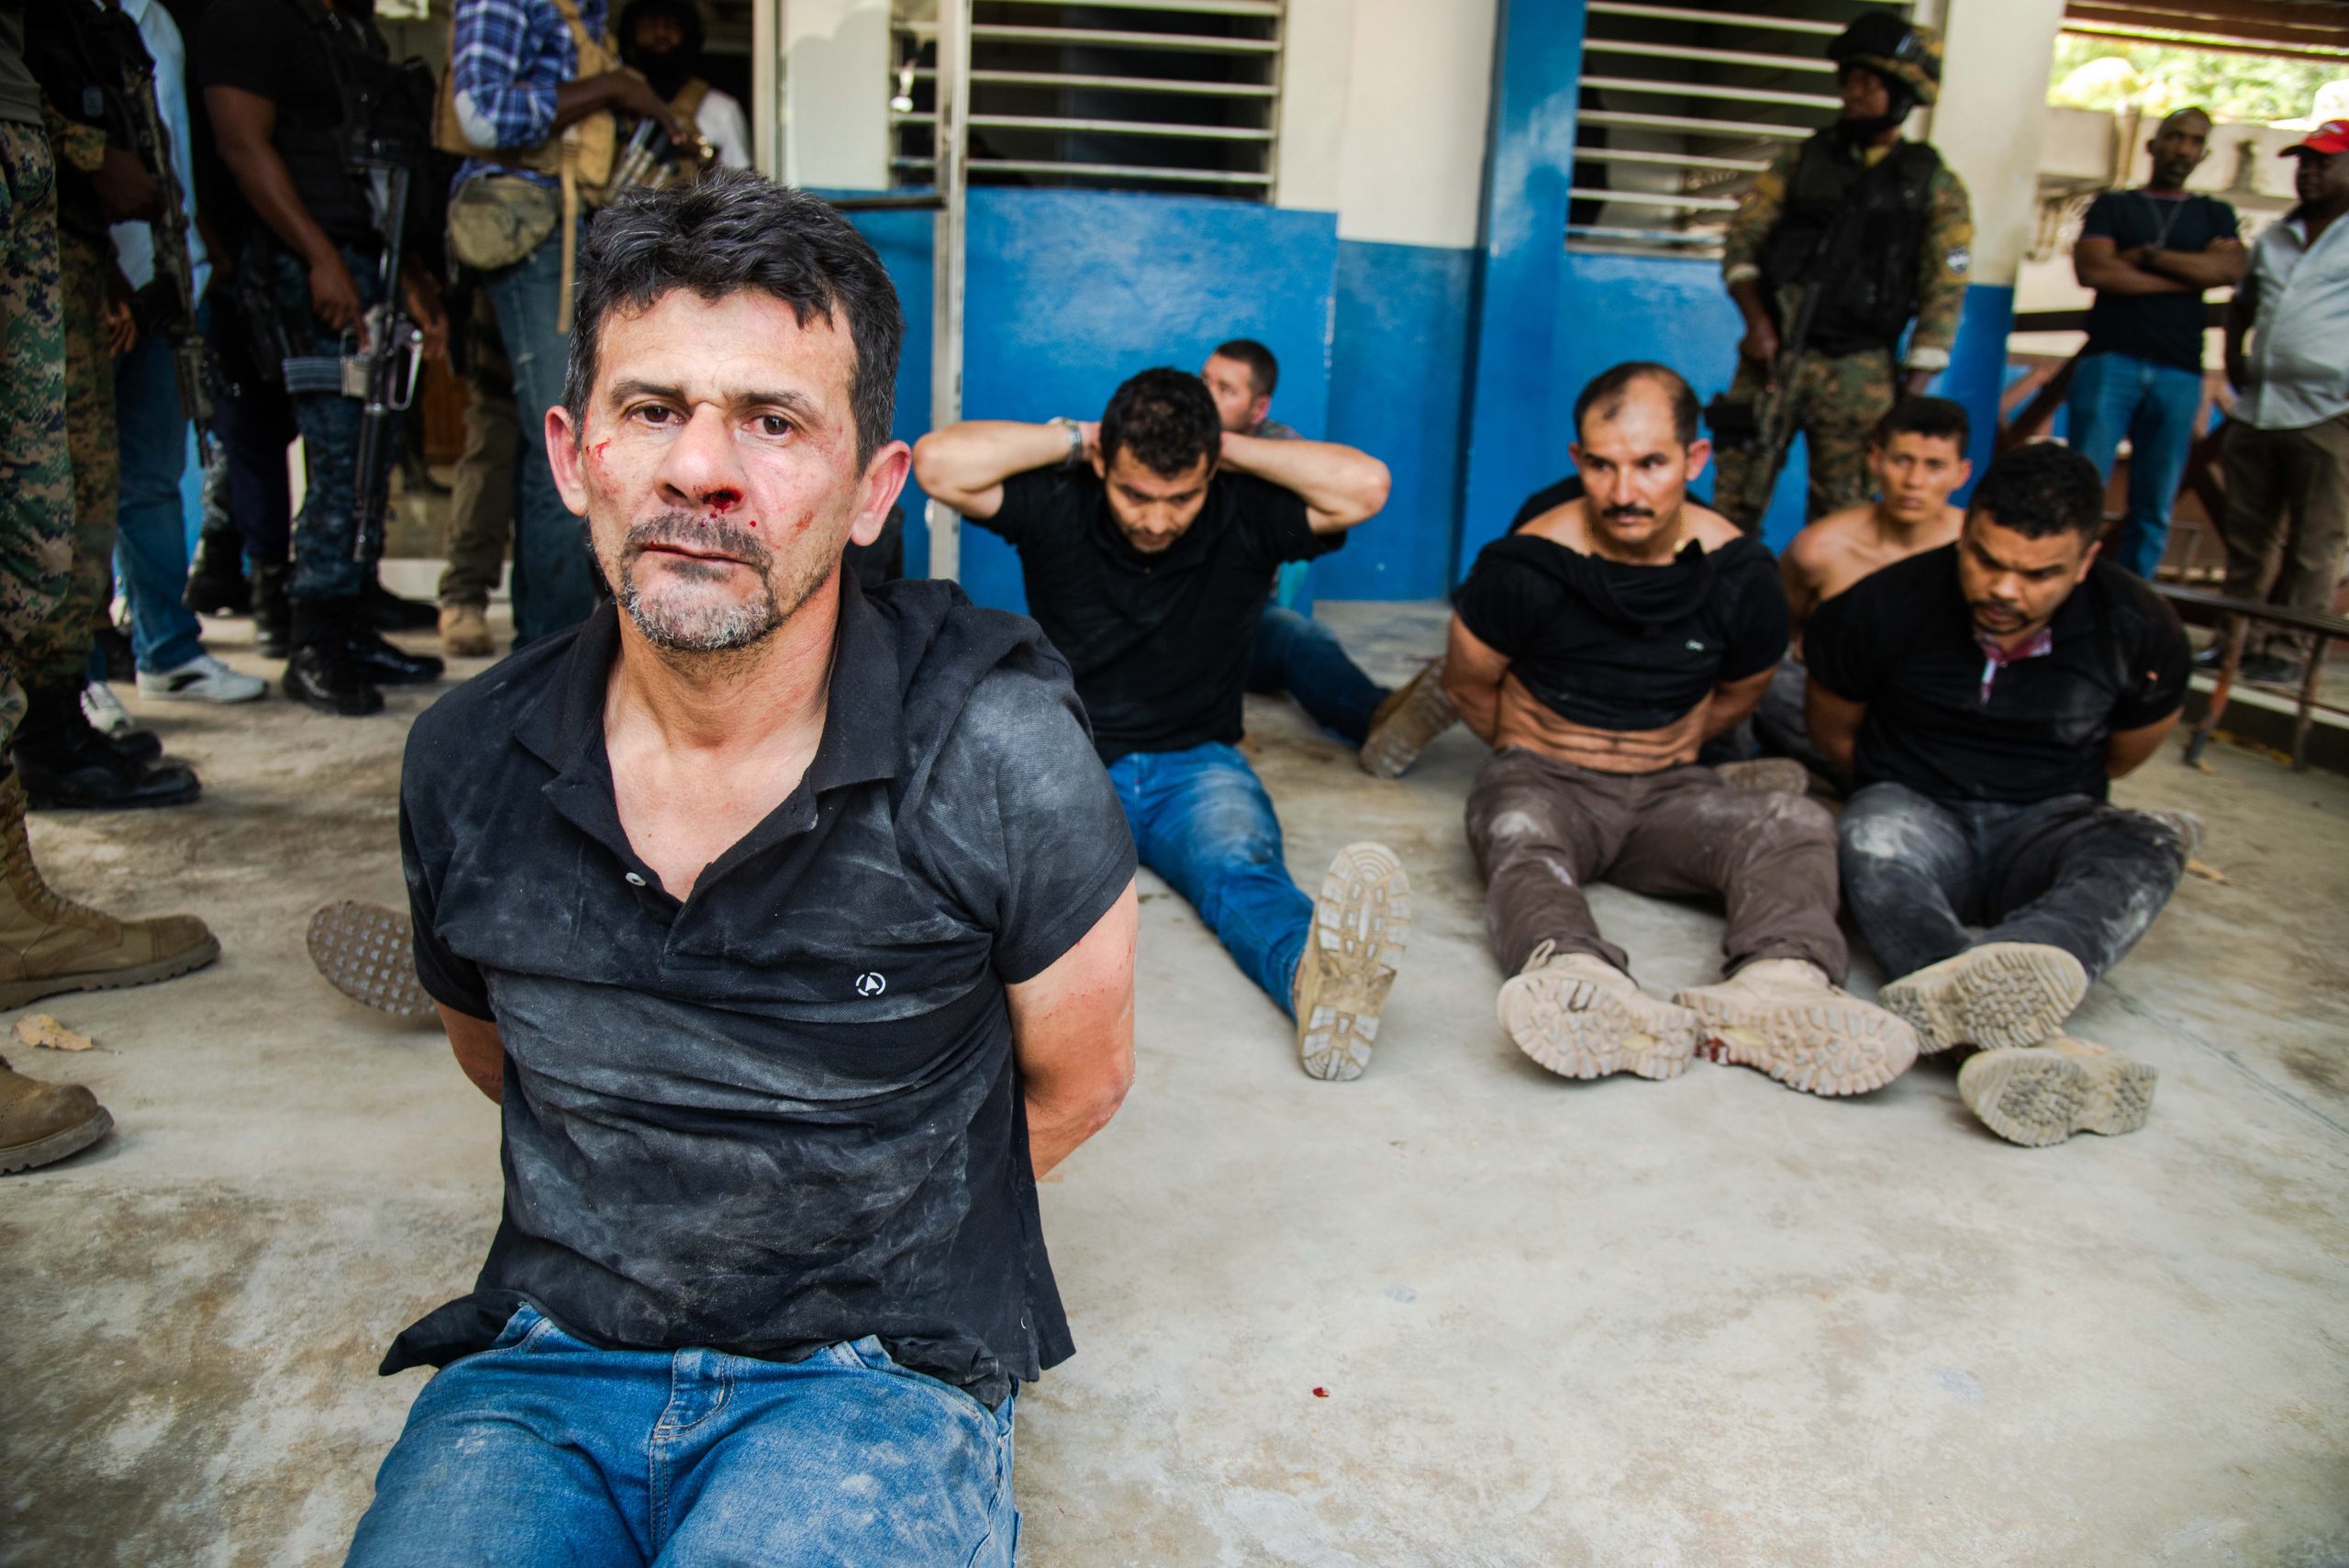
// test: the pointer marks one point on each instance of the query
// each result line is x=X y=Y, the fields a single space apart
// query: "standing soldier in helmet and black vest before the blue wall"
x=1883 y=227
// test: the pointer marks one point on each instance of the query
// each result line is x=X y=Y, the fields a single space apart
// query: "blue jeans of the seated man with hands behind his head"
x=1204 y=823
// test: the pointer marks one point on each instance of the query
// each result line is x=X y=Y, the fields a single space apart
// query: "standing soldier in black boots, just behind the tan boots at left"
x=88 y=60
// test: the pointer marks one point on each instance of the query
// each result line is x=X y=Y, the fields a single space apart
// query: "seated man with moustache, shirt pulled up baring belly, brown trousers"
x=1596 y=651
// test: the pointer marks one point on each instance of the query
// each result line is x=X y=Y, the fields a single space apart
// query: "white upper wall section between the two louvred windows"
x=1385 y=116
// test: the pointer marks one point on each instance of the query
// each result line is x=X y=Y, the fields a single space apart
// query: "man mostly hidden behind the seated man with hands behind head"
x=1295 y=654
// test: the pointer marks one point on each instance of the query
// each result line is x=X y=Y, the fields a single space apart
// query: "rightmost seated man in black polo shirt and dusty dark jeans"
x=1984 y=696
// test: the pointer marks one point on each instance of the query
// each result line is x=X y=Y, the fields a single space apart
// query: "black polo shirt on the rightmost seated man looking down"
x=1902 y=642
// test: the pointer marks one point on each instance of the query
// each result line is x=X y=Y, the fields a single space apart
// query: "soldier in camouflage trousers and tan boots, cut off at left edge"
x=48 y=945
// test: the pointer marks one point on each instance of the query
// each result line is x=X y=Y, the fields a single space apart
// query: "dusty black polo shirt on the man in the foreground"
x=786 y=1111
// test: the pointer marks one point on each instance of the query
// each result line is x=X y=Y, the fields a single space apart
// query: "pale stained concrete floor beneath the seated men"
x=1622 y=1323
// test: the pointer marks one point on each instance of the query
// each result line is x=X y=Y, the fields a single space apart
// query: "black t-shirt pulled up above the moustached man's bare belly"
x=1624 y=647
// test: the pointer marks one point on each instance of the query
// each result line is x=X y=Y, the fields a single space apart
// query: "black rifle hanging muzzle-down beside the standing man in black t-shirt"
x=382 y=370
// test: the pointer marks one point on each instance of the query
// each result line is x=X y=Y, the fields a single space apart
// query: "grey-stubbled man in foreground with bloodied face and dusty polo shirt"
x=793 y=931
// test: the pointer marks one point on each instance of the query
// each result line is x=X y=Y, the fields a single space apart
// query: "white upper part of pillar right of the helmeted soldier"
x=1993 y=119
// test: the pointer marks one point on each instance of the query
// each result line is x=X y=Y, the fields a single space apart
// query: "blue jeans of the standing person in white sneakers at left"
x=152 y=529
